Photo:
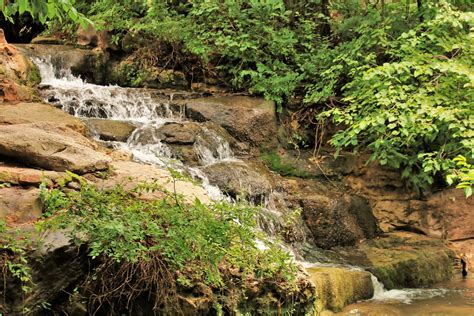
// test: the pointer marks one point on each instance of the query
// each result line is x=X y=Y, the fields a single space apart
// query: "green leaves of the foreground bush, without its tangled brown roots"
x=194 y=238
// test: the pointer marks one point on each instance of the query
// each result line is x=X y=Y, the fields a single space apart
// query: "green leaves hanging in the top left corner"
x=43 y=10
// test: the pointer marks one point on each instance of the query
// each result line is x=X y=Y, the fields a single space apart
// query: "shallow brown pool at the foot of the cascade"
x=452 y=298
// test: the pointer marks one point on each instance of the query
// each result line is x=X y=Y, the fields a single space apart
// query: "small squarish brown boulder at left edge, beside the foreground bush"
x=19 y=205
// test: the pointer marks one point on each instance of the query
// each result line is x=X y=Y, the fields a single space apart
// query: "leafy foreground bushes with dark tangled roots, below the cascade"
x=169 y=245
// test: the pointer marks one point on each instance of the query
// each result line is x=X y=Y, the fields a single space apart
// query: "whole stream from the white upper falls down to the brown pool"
x=150 y=109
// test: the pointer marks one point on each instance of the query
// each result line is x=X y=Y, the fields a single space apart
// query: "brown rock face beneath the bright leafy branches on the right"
x=443 y=214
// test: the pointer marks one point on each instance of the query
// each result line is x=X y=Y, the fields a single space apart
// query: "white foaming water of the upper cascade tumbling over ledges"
x=149 y=113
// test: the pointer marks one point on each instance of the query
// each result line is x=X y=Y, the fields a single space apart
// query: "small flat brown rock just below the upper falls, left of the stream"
x=110 y=130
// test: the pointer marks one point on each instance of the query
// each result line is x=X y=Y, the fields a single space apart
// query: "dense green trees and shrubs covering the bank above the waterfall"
x=396 y=75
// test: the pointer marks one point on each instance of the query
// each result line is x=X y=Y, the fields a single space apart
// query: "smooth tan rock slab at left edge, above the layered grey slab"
x=22 y=113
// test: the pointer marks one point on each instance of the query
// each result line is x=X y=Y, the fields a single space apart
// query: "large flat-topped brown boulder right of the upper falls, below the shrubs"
x=251 y=120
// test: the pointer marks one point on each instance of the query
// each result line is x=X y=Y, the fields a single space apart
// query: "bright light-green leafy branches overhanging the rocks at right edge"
x=415 y=112
